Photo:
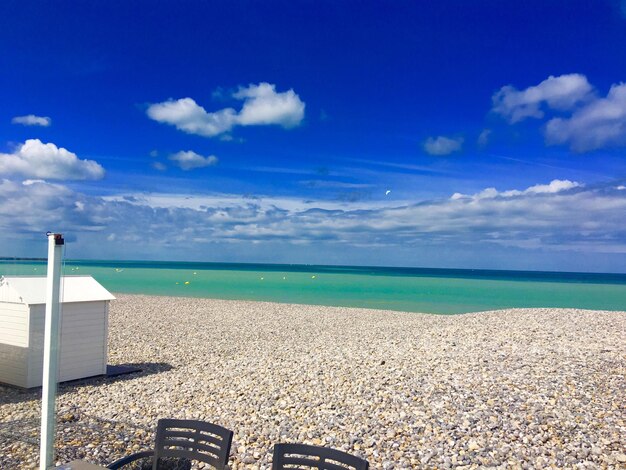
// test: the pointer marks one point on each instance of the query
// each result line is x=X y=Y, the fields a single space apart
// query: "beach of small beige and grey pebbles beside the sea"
x=522 y=388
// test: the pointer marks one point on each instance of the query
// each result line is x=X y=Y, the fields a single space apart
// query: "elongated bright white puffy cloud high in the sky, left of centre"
x=262 y=105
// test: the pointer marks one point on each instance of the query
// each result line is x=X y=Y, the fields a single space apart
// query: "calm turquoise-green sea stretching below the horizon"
x=445 y=291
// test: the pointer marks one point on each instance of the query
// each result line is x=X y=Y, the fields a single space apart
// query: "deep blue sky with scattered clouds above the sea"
x=450 y=134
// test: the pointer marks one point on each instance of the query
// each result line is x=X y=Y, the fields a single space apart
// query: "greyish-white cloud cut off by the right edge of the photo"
x=598 y=124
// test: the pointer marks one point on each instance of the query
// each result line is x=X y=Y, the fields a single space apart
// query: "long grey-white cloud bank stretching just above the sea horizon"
x=560 y=215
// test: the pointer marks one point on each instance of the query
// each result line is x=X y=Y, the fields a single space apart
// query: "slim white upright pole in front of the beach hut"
x=50 y=351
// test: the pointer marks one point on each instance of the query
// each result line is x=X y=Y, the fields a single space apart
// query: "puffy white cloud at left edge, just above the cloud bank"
x=34 y=159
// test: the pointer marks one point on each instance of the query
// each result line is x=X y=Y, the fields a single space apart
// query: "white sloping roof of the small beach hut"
x=31 y=290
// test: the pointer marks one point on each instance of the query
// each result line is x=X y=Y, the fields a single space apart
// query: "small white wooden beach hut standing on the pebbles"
x=83 y=329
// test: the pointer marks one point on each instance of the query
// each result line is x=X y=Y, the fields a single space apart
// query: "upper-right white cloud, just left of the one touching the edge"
x=560 y=93
